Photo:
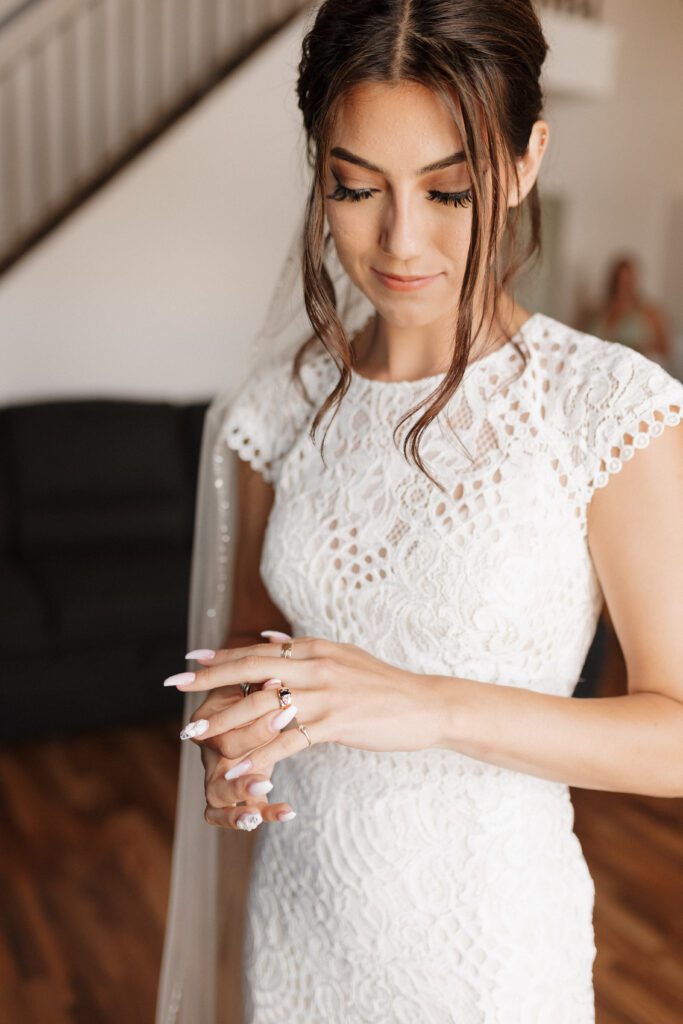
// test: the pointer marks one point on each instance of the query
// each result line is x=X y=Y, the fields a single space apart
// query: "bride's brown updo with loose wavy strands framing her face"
x=490 y=55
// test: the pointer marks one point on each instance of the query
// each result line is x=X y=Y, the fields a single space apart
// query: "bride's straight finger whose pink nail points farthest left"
x=255 y=668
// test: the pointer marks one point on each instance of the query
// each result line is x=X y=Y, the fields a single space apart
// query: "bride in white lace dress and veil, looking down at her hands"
x=389 y=626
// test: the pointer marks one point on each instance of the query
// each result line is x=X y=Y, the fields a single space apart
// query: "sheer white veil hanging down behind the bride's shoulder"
x=204 y=926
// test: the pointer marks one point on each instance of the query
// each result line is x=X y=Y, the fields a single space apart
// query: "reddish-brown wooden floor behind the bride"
x=86 y=861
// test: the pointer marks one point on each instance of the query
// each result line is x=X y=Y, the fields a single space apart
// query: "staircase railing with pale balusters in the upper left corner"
x=86 y=86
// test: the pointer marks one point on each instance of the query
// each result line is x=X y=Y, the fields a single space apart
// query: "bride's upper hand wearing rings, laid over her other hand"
x=341 y=694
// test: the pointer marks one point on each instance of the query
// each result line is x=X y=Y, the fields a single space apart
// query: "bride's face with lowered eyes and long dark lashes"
x=400 y=223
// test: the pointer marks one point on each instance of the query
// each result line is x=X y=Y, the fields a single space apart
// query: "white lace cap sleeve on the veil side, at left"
x=265 y=417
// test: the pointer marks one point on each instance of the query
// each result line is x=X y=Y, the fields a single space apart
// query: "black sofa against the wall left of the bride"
x=97 y=517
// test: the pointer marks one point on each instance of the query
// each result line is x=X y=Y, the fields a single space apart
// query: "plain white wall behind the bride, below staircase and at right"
x=157 y=285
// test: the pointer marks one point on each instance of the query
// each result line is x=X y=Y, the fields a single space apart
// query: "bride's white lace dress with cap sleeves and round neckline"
x=429 y=886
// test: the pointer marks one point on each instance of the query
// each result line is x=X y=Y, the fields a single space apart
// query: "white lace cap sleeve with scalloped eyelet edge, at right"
x=625 y=401
